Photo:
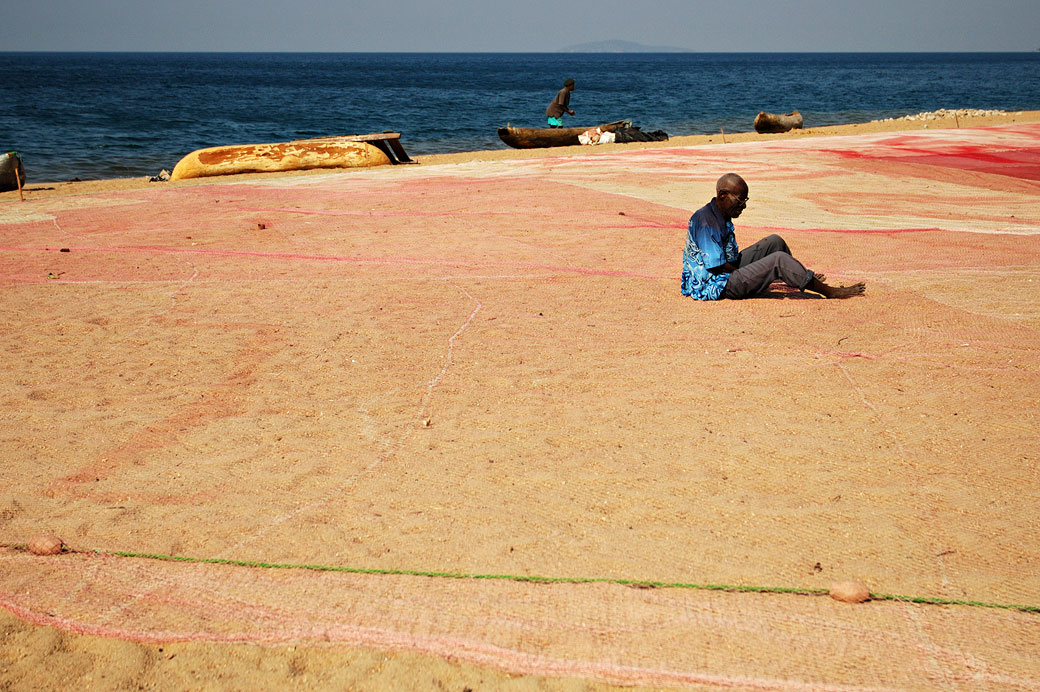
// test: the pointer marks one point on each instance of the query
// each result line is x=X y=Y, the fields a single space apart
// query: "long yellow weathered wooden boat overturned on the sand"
x=343 y=152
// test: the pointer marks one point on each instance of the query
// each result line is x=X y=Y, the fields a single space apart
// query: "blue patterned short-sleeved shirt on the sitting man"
x=710 y=244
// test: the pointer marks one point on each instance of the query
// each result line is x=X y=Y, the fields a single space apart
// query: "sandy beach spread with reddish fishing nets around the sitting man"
x=482 y=366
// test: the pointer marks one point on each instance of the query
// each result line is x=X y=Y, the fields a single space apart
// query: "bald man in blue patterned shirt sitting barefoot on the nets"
x=713 y=267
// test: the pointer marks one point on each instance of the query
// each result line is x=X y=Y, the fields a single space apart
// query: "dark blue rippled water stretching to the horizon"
x=93 y=116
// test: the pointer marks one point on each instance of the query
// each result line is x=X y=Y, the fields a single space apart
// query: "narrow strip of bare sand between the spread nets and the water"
x=37 y=190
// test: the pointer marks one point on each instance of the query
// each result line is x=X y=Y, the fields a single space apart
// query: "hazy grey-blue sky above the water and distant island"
x=518 y=25
